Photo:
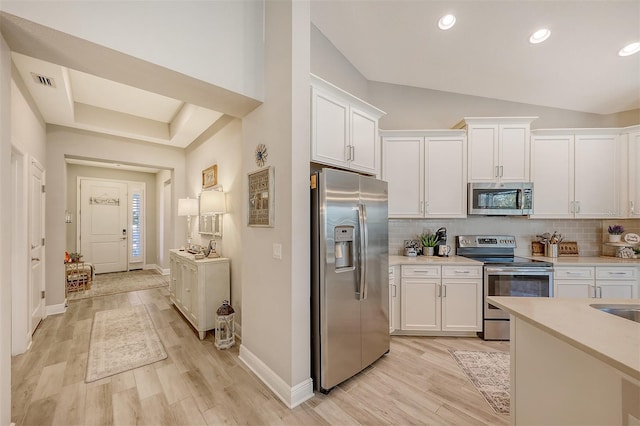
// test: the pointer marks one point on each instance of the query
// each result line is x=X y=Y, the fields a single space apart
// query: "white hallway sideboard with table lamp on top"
x=198 y=287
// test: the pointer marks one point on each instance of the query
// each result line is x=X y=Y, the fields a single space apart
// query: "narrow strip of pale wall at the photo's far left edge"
x=5 y=234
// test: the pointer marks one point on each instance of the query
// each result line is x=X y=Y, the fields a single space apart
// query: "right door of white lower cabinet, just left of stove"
x=461 y=305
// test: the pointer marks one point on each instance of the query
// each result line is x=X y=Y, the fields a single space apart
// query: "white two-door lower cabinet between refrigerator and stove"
x=441 y=298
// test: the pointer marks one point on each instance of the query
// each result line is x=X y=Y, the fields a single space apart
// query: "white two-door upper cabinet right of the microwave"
x=577 y=173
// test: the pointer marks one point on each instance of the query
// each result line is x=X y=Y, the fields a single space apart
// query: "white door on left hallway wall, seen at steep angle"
x=36 y=240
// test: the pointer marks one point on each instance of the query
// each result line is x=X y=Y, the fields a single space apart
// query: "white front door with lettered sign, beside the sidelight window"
x=103 y=224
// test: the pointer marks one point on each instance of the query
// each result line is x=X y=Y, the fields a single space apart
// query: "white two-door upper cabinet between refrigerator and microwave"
x=426 y=173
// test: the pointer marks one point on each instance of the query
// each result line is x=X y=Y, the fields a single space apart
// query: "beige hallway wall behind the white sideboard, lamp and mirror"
x=223 y=148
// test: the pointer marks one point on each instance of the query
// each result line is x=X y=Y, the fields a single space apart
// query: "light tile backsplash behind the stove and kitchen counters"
x=588 y=233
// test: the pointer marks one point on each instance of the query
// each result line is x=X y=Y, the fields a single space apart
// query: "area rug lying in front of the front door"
x=121 y=282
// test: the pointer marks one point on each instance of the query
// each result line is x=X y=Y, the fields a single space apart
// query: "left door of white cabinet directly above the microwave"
x=483 y=153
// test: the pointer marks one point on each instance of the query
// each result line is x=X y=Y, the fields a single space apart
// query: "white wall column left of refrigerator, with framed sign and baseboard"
x=275 y=293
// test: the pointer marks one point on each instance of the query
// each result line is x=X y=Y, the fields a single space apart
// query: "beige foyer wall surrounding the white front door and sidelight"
x=151 y=223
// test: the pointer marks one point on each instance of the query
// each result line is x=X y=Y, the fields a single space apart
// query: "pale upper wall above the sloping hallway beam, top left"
x=218 y=42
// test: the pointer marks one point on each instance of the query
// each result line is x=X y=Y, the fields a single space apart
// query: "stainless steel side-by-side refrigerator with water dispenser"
x=350 y=275
